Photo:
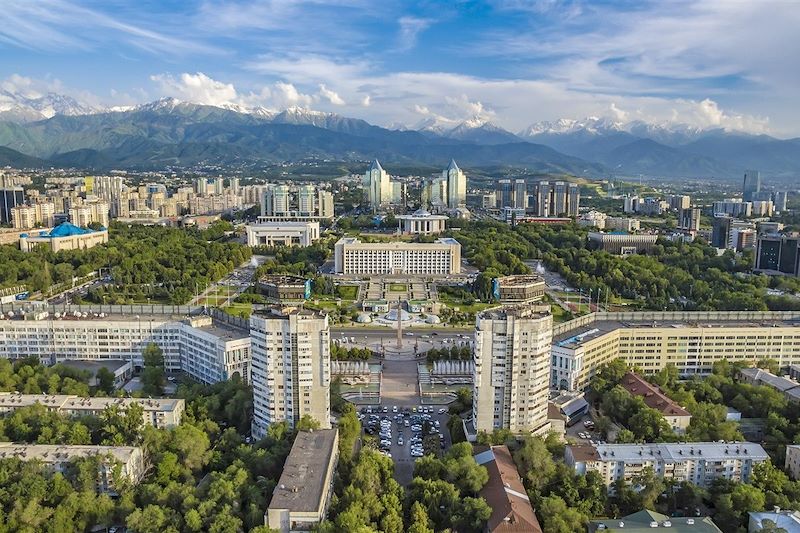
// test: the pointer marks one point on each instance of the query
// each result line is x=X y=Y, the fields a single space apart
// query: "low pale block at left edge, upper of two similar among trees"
x=158 y=412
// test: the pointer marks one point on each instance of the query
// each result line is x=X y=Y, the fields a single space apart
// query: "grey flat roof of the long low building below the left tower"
x=302 y=483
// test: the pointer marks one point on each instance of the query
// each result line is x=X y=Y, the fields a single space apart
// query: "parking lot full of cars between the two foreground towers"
x=407 y=433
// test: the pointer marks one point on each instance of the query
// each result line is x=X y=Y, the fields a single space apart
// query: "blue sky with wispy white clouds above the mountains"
x=718 y=63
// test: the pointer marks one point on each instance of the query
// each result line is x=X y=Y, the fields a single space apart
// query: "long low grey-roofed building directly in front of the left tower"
x=300 y=499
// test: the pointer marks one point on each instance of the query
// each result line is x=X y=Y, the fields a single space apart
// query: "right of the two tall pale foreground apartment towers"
x=512 y=365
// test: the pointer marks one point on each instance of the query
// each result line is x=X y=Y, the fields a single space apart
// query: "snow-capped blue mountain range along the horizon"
x=57 y=130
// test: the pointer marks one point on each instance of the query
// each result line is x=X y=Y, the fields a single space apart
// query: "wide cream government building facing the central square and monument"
x=442 y=257
